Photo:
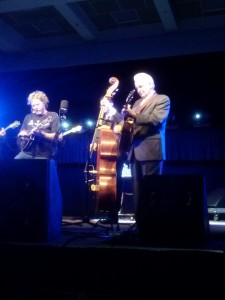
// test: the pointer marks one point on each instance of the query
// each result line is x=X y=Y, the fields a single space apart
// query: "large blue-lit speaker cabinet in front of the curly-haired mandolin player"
x=30 y=201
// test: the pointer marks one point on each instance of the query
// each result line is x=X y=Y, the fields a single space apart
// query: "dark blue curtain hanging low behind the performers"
x=198 y=144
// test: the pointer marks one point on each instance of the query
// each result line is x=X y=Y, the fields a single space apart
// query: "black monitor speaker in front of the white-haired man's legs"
x=172 y=210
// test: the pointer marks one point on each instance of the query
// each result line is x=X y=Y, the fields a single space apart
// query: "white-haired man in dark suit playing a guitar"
x=149 y=113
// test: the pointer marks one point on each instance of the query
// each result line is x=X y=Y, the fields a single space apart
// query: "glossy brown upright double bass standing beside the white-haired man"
x=105 y=181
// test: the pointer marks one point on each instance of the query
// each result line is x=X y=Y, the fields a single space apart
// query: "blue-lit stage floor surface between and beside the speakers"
x=93 y=232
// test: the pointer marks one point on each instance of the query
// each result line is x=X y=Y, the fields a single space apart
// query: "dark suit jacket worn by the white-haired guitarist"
x=149 y=130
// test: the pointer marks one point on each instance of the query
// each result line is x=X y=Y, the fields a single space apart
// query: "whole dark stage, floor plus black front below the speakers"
x=94 y=261
